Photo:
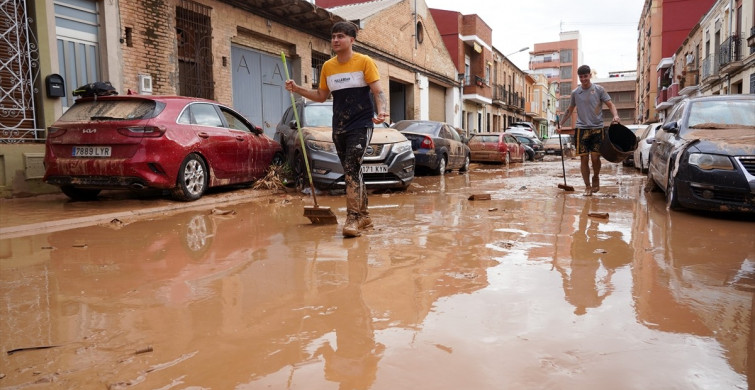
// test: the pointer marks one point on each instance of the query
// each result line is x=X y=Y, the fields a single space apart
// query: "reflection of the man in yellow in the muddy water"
x=353 y=362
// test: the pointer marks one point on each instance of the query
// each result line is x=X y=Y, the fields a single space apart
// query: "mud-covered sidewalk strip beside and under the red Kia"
x=49 y=213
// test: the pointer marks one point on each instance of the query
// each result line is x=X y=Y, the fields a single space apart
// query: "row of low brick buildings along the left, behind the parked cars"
x=226 y=50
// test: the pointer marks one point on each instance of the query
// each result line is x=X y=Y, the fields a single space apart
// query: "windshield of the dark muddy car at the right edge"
x=721 y=114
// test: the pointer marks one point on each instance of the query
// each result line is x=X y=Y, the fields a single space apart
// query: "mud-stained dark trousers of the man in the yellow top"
x=351 y=146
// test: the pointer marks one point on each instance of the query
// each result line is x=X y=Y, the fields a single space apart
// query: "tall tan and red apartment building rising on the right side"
x=663 y=26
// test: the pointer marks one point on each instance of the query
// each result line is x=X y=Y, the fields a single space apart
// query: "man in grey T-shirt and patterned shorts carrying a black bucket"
x=589 y=98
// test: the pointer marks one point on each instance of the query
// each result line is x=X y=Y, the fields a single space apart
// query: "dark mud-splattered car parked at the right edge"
x=704 y=154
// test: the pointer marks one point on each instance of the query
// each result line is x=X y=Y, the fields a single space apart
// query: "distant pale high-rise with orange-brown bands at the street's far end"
x=558 y=62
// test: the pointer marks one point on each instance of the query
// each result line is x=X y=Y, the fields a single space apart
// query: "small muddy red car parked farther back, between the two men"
x=496 y=147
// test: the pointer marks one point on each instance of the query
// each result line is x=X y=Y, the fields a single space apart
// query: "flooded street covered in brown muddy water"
x=533 y=289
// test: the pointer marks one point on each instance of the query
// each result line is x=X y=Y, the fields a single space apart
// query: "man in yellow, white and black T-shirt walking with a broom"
x=353 y=79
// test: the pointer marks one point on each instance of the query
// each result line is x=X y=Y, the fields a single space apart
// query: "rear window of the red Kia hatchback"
x=112 y=110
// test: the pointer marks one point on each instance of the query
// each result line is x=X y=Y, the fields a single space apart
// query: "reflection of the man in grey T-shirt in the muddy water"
x=595 y=256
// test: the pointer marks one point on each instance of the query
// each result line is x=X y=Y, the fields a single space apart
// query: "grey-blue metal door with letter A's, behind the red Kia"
x=259 y=91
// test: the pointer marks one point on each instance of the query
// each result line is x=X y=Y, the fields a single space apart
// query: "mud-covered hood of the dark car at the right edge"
x=723 y=141
